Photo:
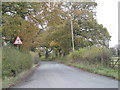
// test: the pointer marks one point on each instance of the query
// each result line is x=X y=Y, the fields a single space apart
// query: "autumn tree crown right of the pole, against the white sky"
x=86 y=27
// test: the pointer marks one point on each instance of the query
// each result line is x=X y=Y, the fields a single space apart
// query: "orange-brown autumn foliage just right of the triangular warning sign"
x=27 y=34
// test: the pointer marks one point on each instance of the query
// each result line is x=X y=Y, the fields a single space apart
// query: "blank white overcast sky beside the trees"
x=107 y=14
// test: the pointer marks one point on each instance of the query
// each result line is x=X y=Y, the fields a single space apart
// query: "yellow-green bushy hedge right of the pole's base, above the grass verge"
x=93 y=55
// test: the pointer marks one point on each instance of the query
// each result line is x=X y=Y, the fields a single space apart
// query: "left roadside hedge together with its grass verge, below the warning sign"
x=16 y=64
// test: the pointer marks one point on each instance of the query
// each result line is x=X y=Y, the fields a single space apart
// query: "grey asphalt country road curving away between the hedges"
x=56 y=75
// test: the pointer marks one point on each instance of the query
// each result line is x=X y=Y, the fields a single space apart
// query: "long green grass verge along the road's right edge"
x=93 y=68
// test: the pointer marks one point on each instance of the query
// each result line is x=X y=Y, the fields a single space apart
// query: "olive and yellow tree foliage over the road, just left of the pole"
x=57 y=39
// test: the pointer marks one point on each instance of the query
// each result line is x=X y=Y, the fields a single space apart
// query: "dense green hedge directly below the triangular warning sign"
x=15 y=61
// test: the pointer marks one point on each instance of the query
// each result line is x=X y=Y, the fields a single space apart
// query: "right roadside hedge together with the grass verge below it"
x=93 y=59
